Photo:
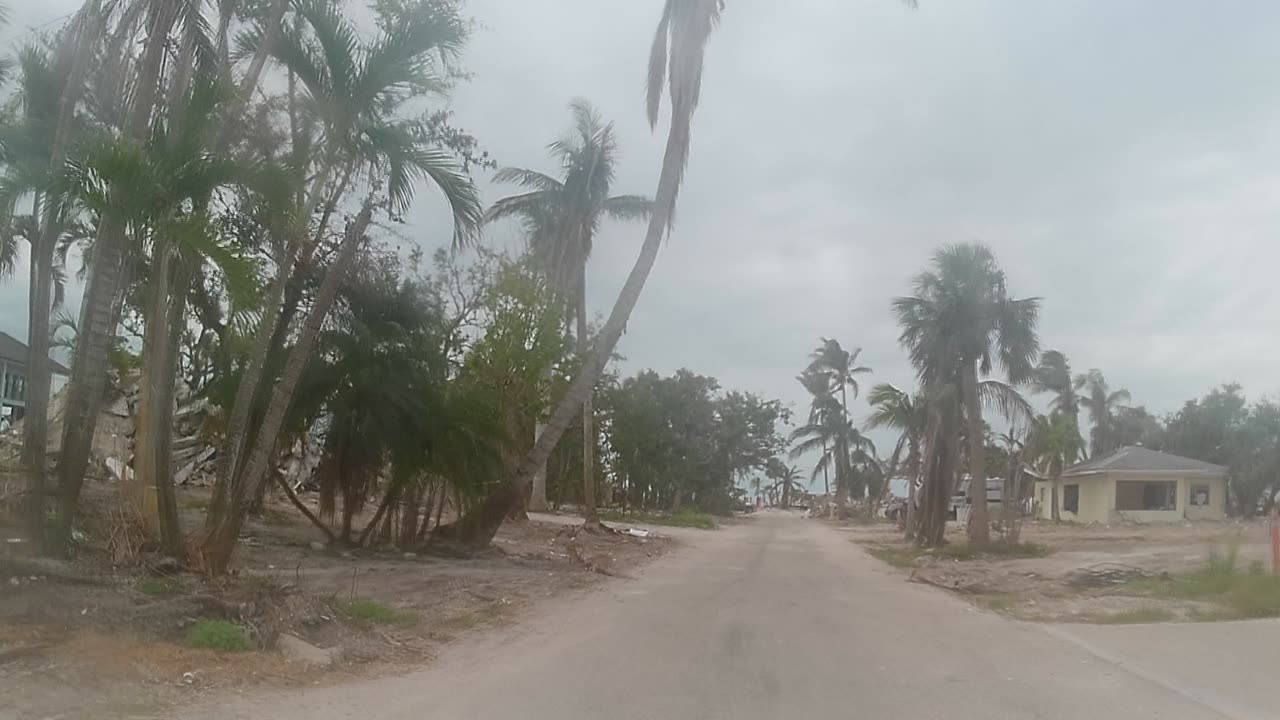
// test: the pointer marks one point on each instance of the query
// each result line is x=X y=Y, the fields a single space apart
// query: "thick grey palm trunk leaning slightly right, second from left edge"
x=98 y=327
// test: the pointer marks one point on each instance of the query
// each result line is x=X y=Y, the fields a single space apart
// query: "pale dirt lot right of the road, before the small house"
x=1087 y=573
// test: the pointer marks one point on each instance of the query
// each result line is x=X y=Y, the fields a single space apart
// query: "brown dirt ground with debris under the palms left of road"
x=117 y=645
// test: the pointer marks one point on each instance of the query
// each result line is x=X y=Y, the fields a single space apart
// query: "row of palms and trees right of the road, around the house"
x=977 y=356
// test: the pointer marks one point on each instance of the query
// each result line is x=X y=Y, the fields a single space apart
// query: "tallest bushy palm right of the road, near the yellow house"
x=961 y=325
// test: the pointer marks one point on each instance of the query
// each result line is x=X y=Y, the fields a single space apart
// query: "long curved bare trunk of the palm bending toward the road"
x=479 y=526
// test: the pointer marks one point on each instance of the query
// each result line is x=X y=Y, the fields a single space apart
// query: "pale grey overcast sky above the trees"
x=1123 y=161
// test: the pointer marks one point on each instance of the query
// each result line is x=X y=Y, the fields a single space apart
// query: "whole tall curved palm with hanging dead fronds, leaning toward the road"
x=675 y=65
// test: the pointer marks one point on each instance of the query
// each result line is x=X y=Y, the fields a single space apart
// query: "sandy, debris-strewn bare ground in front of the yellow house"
x=1050 y=589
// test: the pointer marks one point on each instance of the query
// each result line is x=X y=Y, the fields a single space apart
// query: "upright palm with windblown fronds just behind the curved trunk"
x=561 y=218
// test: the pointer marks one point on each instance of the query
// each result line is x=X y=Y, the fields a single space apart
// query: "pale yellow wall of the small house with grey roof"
x=1099 y=499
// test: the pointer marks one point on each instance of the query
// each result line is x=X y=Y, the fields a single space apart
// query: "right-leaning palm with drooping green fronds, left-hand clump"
x=358 y=89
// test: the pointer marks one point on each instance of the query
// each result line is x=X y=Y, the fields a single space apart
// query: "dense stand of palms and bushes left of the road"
x=232 y=176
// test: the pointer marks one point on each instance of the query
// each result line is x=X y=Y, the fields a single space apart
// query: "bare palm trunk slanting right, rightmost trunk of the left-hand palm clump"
x=220 y=543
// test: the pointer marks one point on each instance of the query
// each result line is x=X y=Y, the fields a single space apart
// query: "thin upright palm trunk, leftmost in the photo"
x=35 y=438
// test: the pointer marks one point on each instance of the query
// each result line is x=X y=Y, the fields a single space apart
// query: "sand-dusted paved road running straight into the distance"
x=778 y=618
